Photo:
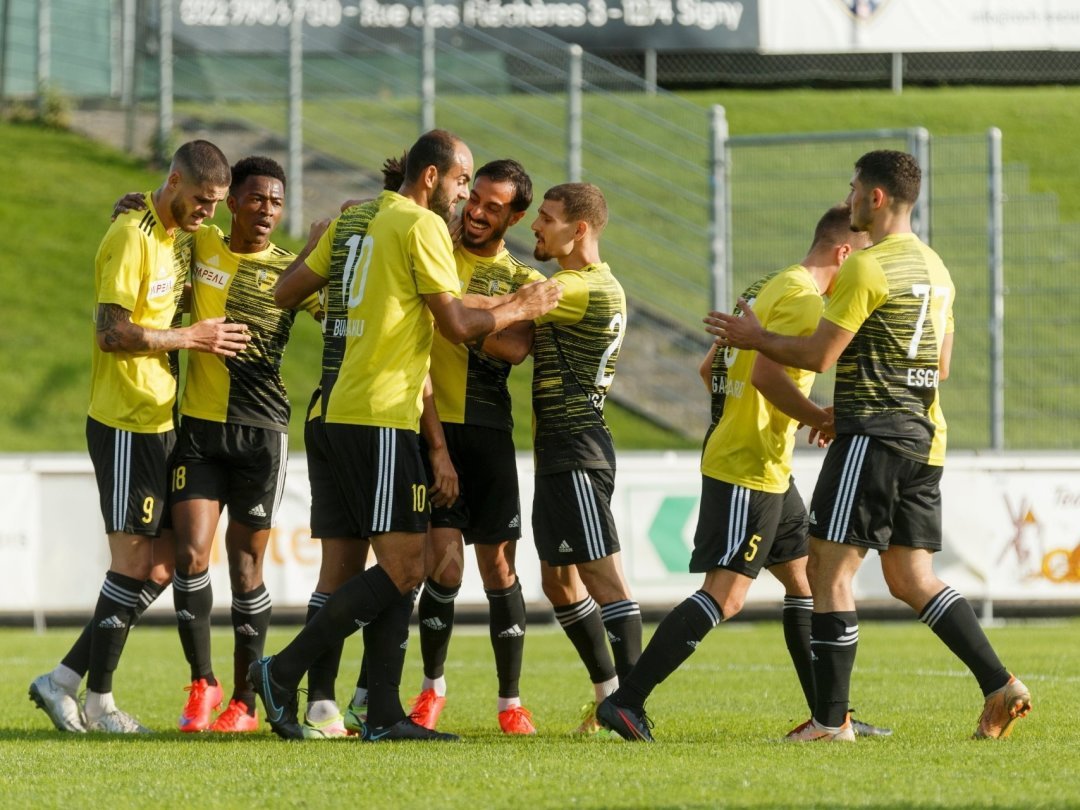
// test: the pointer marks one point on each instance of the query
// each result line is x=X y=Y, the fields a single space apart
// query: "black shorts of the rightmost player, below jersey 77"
x=871 y=496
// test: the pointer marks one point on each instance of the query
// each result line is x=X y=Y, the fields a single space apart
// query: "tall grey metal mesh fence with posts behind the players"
x=676 y=225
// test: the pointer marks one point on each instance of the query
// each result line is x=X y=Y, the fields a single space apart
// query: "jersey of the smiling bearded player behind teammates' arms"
x=471 y=386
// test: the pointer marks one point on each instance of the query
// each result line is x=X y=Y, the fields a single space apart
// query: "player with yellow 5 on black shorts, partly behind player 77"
x=752 y=517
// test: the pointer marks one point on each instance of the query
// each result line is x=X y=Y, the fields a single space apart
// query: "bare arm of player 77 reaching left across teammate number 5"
x=817 y=353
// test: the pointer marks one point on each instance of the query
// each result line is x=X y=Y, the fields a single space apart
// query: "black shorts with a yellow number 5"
x=745 y=531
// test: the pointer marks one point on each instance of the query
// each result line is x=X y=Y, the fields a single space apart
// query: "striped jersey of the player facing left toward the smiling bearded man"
x=575 y=349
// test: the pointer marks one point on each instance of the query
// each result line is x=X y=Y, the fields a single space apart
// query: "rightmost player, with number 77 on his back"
x=889 y=330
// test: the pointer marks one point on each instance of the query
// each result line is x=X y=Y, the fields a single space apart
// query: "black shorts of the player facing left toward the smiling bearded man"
x=572 y=517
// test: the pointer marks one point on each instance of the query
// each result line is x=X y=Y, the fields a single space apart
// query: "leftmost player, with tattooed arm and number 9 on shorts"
x=130 y=429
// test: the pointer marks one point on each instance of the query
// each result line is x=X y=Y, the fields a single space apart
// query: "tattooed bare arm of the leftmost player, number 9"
x=116 y=333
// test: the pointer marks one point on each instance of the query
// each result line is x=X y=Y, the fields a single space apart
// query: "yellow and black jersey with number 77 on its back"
x=897 y=296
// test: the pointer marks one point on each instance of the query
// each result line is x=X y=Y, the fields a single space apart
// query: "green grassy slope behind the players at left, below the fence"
x=60 y=192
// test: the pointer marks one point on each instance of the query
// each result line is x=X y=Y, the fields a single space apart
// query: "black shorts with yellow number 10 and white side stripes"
x=382 y=479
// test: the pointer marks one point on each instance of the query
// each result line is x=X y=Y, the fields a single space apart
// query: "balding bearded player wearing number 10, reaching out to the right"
x=402 y=283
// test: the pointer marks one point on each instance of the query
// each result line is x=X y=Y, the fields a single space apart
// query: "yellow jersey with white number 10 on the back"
x=406 y=255
